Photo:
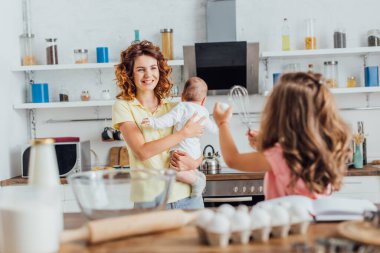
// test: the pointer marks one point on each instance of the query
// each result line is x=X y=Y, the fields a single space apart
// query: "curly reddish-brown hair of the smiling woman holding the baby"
x=124 y=70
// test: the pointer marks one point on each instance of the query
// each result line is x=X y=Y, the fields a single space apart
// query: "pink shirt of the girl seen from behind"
x=277 y=179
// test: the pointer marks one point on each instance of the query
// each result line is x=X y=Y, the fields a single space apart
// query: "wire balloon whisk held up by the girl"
x=240 y=98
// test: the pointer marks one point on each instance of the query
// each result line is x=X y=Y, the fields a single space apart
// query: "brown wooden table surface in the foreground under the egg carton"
x=186 y=240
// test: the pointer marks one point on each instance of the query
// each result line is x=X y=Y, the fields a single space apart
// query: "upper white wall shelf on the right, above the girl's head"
x=320 y=52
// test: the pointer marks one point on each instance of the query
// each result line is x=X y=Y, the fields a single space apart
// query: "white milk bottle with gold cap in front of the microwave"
x=43 y=166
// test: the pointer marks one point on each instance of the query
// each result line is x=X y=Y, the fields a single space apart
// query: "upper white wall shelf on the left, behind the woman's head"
x=80 y=66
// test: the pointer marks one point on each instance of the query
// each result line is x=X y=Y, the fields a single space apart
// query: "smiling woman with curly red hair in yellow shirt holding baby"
x=143 y=79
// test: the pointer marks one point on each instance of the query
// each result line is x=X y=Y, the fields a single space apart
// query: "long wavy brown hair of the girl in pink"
x=301 y=115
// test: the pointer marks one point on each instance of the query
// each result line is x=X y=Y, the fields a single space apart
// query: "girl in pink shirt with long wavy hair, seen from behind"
x=303 y=145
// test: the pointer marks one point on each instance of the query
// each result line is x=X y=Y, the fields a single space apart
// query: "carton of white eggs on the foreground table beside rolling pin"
x=229 y=225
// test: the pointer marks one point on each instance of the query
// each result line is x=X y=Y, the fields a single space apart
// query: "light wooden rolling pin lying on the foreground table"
x=138 y=224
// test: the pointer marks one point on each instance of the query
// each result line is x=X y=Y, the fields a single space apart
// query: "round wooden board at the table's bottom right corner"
x=360 y=231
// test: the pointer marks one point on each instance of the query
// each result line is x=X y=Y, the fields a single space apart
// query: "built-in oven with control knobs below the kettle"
x=233 y=187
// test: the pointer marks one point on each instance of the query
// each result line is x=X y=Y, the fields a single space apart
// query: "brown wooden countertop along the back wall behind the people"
x=368 y=170
